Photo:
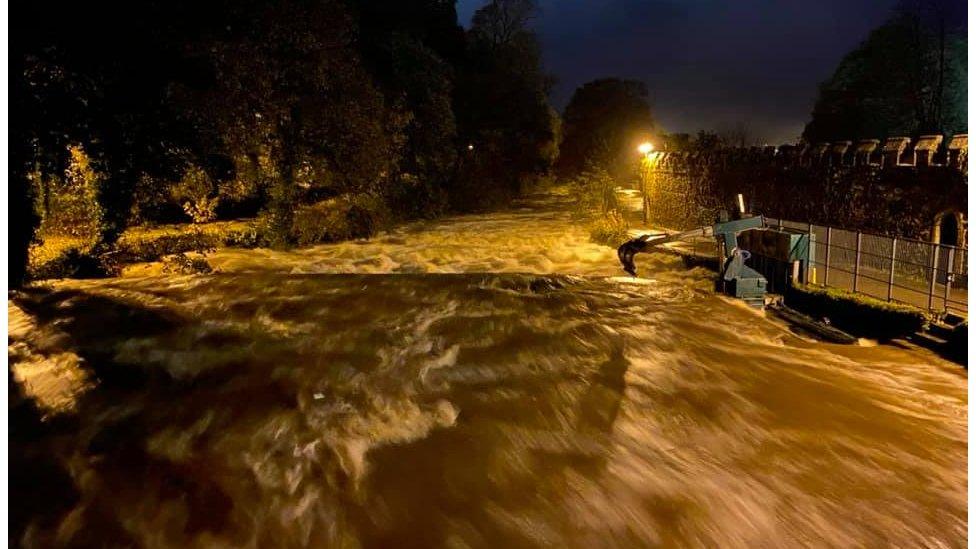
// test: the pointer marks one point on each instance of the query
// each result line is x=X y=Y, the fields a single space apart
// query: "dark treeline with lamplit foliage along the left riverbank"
x=157 y=112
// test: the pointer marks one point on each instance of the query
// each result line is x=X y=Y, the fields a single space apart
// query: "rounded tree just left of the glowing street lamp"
x=602 y=124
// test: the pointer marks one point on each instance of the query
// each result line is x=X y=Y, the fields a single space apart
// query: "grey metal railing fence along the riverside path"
x=930 y=276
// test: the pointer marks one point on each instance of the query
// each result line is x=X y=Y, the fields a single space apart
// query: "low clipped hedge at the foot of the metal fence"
x=857 y=314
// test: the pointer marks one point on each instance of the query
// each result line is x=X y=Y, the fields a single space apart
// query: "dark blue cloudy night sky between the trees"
x=709 y=64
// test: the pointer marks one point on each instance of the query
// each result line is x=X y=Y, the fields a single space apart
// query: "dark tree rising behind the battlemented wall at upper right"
x=907 y=78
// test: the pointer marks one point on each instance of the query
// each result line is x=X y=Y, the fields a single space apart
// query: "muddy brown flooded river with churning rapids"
x=480 y=381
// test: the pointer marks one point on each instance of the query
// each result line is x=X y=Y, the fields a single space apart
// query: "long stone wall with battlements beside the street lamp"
x=899 y=186
